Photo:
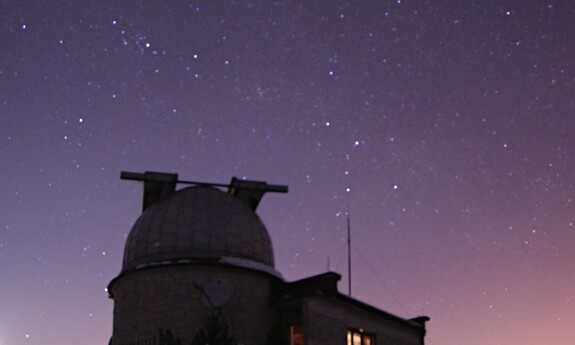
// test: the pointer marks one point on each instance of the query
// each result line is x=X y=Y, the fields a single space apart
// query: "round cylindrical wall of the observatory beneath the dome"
x=168 y=298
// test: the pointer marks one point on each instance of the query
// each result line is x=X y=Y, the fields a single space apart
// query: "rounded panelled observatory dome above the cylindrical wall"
x=197 y=223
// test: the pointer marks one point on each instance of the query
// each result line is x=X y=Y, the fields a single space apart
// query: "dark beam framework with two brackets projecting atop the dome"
x=159 y=185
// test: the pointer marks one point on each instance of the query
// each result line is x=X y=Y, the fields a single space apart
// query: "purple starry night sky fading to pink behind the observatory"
x=447 y=128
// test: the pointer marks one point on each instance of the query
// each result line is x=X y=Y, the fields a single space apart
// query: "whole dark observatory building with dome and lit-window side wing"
x=199 y=259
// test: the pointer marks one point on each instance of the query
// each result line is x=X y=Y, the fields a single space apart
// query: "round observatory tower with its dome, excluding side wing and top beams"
x=195 y=251
